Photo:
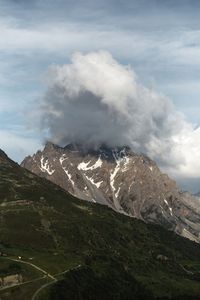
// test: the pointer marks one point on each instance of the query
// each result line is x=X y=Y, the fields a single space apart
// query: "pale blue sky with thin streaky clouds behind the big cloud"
x=158 y=39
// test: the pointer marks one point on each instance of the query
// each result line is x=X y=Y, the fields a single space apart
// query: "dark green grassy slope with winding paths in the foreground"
x=54 y=246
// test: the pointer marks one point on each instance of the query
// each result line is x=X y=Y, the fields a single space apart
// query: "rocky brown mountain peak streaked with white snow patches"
x=121 y=179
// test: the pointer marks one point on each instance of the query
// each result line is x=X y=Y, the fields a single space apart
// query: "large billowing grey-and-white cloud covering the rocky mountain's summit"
x=95 y=100
